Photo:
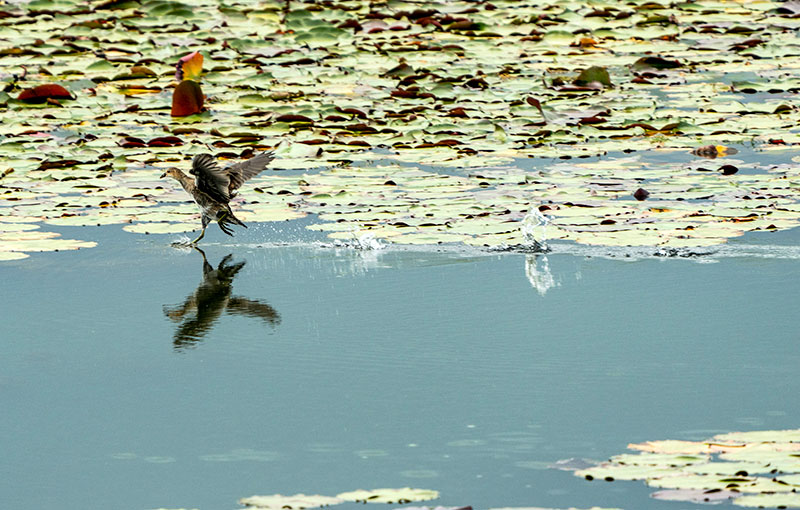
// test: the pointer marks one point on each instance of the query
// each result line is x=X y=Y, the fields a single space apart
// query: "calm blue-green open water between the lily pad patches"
x=338 y=369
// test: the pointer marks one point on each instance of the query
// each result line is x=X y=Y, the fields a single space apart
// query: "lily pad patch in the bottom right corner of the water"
x=751 y=469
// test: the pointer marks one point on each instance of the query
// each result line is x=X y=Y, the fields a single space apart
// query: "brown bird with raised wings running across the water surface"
x=213 y=187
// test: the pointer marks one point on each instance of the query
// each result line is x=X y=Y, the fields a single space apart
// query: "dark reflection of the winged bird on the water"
x=204 y=306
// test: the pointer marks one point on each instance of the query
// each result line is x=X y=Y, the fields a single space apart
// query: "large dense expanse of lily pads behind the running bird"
x=414 y=122
